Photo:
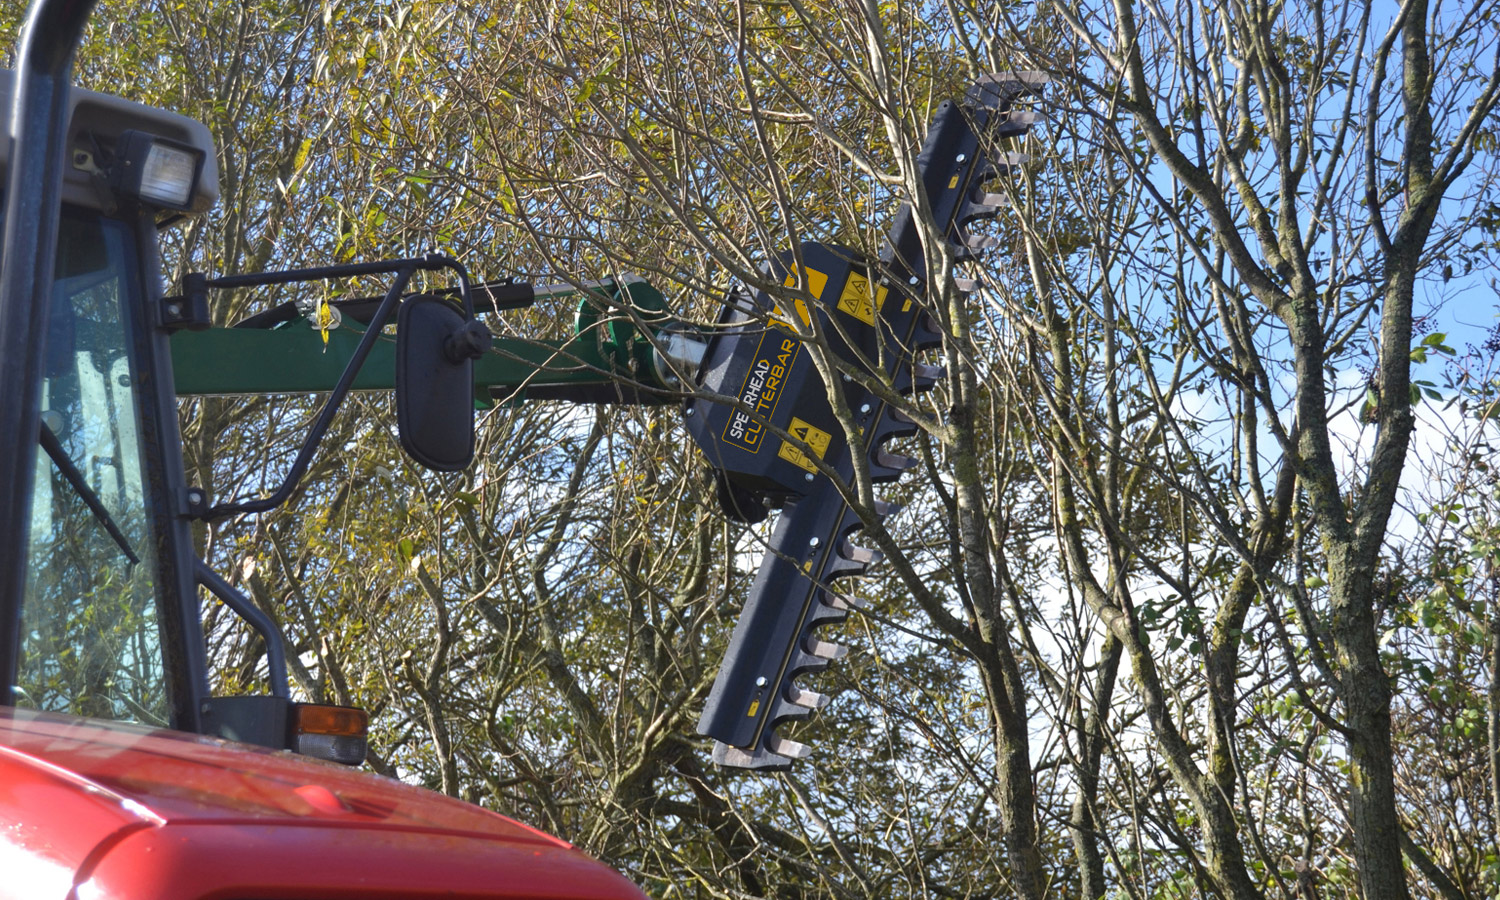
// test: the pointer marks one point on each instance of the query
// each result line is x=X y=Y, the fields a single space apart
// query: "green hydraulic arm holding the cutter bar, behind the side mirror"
x=610 y=358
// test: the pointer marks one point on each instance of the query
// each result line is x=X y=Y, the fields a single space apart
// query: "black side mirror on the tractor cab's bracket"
x=436 y=352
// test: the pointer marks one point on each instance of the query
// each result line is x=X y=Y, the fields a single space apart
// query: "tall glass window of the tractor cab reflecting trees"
x=89 y=640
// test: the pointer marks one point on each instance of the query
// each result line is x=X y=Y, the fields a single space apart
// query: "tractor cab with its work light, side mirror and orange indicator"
x=109 y=623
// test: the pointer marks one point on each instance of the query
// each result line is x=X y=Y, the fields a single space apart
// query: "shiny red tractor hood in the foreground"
x=118 y=811
